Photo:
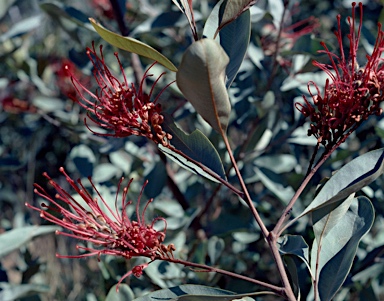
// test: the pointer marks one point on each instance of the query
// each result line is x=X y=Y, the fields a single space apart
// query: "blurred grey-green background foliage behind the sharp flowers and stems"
x=42 y=129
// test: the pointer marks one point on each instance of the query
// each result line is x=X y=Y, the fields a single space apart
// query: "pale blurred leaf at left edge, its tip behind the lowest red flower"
x=15 y=238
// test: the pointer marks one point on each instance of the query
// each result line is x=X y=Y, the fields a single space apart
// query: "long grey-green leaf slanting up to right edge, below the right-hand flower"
x=350 y=178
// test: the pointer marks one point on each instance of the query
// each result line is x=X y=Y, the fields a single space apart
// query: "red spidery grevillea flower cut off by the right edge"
x=353 y=93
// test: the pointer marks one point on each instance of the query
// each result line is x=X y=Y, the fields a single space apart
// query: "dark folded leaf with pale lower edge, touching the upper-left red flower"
x=195 y=146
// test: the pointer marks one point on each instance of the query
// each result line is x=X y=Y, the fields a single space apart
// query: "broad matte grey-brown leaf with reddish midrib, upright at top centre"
x=201 y=79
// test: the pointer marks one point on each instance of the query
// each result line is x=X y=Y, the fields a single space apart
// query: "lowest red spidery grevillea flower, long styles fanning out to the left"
x=110 y=231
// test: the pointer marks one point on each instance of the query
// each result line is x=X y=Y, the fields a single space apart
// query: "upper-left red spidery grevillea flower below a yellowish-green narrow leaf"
x=117 y=106
